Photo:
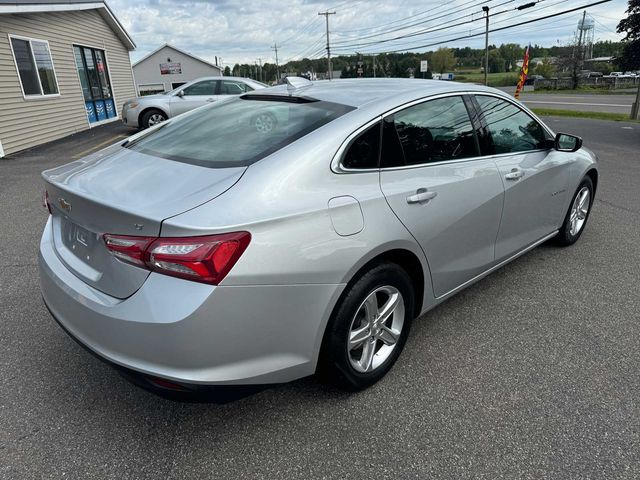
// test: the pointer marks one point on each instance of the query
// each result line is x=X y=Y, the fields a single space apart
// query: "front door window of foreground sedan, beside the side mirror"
x=510 y=129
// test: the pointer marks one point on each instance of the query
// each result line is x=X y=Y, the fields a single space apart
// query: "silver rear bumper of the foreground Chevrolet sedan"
x=190 y=332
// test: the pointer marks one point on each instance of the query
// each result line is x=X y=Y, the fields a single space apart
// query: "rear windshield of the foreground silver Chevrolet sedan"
x=238 y=132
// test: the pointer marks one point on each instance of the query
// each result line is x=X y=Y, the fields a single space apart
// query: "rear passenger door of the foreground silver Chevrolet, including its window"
x=440 y=188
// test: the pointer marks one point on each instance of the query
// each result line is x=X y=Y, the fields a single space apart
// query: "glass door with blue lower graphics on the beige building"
x=95 y=82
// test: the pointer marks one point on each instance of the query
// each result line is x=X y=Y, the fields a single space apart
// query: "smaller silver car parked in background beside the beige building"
x=144 y=112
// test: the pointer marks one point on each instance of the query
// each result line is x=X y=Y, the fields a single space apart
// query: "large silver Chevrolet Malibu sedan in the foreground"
x=207 y=251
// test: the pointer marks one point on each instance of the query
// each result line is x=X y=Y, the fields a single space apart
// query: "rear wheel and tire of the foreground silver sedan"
x=368 y=329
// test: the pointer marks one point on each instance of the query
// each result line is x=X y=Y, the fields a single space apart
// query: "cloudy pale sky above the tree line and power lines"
x=241 y=31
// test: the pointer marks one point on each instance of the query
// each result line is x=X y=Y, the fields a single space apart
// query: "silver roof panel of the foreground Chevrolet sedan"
x=359 y=92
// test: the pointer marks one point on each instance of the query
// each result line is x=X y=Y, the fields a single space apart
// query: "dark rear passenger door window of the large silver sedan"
x=433 y=131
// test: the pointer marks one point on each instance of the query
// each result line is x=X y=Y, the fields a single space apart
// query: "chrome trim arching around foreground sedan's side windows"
x=336 y=162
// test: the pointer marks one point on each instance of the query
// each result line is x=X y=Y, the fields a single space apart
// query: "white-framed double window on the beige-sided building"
x=35 y=67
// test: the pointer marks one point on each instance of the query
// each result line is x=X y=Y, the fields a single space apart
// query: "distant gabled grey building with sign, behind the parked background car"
x=168 y=67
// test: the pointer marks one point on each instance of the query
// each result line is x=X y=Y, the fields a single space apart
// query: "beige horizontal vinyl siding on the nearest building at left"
x=25 y=123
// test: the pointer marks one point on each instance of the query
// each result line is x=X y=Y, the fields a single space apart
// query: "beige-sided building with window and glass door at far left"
x=64 y=67
